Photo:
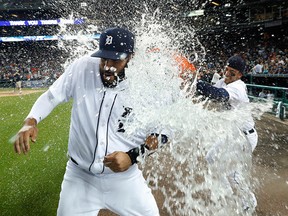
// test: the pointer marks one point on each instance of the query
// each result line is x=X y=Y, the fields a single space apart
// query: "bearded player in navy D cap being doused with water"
x=102 y=172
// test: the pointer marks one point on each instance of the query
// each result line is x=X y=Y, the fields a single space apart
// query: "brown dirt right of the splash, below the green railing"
x=271 y=166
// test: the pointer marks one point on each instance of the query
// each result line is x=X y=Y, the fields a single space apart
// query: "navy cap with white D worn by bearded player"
x=115 y=43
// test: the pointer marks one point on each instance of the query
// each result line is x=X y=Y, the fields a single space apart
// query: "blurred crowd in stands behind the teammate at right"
x=266 y=57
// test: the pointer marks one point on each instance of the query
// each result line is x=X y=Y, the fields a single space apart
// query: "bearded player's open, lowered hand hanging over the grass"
x=27 y=132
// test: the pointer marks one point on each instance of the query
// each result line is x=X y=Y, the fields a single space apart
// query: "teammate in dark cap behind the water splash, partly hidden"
x=232 y=91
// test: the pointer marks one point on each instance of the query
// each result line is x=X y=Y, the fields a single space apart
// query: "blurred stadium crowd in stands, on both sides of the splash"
x=44 y=60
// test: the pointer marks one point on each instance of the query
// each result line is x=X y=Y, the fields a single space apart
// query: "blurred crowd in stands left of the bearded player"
x=33 y=61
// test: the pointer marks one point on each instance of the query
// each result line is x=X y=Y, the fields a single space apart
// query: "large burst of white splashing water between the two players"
x=207 y=150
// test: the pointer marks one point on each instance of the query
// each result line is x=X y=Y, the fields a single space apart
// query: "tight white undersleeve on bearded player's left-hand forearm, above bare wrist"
x=43 y=106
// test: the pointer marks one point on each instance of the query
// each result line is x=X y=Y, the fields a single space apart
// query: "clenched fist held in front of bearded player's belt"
x=117 y=161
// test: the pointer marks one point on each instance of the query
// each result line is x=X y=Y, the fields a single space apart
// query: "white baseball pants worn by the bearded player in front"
x=125 y=193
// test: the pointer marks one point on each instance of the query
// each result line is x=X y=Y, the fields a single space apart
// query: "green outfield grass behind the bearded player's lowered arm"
x=30 y=184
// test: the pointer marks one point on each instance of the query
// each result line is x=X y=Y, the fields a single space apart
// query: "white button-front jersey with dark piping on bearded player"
x=96 y=128
